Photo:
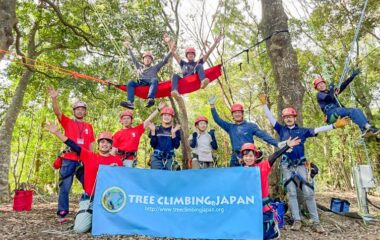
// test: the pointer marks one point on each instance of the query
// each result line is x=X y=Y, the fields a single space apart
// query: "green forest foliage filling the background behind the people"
x=321 y=40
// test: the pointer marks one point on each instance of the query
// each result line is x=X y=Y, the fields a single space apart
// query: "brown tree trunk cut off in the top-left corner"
x=7 y=21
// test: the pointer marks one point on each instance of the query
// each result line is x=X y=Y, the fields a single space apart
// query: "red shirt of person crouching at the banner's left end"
x=91 y=162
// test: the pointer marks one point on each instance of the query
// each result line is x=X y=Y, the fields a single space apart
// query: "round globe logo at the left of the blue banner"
x=114 y=199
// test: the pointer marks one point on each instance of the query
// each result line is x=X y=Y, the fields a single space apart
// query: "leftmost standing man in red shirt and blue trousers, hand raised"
x=82 y=134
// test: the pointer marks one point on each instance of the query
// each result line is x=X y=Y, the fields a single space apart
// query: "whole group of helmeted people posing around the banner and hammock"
x=120 y=148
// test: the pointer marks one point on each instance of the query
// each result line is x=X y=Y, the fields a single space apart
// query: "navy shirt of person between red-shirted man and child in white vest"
x=163 y=140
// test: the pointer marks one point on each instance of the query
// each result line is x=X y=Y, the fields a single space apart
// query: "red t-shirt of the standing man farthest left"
x=79 y=132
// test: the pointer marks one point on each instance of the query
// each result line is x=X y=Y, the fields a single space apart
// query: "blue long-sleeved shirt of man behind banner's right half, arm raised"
x=242 y=133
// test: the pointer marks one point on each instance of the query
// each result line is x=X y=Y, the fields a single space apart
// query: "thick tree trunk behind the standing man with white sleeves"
x=284 y=64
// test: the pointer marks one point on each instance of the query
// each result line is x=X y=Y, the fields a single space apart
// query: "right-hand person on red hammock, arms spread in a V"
x=190 y=66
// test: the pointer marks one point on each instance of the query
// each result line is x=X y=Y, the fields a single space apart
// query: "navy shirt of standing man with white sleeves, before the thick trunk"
x=285 y=132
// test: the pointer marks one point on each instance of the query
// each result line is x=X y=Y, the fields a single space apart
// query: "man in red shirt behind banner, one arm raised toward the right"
x=126 y=140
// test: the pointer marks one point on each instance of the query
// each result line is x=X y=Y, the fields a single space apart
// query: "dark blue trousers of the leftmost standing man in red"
x=66 y=173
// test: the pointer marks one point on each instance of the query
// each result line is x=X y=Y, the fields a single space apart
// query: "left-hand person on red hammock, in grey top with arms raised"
x=147 y=76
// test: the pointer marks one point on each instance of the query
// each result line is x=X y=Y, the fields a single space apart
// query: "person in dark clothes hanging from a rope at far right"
x=332 y=108
